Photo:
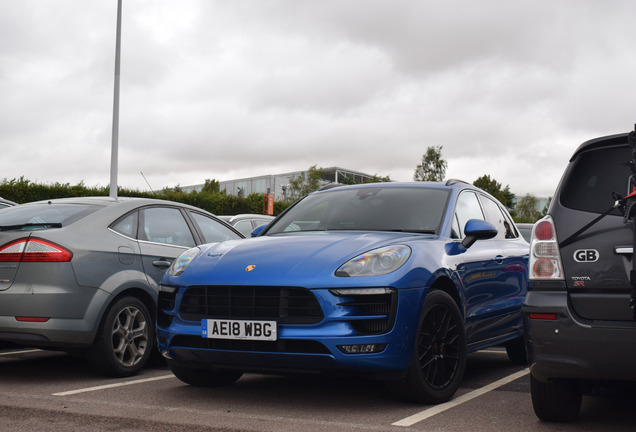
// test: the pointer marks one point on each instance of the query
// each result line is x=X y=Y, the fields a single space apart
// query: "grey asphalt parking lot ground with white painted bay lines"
x=52 y=391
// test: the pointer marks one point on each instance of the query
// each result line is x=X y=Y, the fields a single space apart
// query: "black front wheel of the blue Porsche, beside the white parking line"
x=439 y=356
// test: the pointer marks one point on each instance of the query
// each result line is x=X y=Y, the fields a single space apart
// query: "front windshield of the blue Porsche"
x=412 y=209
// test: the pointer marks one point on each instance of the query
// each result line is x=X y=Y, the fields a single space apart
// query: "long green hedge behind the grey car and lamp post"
x=22 y=190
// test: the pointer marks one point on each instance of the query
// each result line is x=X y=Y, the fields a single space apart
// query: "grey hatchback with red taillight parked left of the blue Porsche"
x=82 y=274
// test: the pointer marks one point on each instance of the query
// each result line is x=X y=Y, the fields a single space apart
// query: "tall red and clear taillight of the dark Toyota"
x=545 y=257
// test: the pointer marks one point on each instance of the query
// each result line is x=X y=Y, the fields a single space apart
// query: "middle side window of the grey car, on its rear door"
x=166 y=225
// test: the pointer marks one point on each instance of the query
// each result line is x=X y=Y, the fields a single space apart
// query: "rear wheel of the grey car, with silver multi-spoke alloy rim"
x=124 y=340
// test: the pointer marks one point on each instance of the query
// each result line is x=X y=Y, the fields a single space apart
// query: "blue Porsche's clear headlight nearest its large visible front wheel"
x=376 y=262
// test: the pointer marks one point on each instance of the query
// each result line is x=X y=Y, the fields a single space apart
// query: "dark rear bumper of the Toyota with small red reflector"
x=568 y=347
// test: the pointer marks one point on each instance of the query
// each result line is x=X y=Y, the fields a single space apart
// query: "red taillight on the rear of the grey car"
x=34 y=250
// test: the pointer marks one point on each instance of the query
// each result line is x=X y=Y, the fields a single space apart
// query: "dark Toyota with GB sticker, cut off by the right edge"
x=578 y=314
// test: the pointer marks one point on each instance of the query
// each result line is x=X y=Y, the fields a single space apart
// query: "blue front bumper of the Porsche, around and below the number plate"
x=310 y=348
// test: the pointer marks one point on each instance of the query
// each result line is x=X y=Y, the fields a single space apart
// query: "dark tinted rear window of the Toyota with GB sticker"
x=592 y=178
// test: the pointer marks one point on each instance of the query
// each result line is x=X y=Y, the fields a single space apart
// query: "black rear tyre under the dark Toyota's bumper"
x=555 y=401
